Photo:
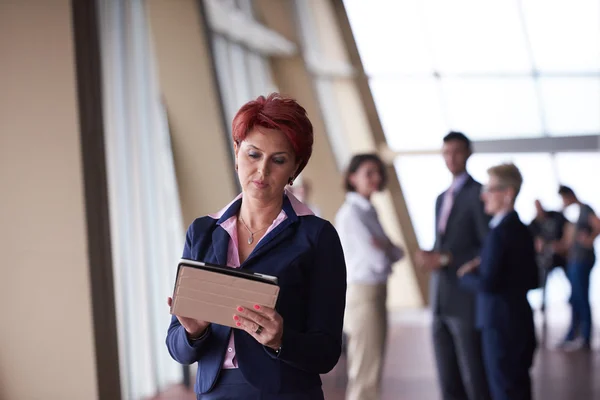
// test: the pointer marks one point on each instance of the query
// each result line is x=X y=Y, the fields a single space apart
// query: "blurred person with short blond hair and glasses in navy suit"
x=501 y=276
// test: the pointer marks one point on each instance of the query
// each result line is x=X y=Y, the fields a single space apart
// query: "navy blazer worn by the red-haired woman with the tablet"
x=306 y=255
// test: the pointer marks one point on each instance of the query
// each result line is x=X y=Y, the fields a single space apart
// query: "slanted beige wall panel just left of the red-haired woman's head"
x=202 y=154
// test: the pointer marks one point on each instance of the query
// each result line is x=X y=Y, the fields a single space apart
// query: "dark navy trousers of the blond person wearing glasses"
x=508 y=356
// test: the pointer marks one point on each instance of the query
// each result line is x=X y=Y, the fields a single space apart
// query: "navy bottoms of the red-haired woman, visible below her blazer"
x=232 y=385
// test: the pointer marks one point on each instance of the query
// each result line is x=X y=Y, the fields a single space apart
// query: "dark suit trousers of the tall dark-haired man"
x=457 y=346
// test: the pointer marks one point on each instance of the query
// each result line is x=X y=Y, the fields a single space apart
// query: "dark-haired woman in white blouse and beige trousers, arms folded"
x=369 y=257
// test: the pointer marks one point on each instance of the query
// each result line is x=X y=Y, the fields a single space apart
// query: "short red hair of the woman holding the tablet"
x=280 y=113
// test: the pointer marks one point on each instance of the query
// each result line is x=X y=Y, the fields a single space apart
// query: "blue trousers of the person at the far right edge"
x=581 y=315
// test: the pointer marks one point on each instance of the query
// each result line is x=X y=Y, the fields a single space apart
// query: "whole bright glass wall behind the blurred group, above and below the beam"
x=499 y=69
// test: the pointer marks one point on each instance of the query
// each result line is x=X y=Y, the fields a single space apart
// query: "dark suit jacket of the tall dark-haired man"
x=465 y=233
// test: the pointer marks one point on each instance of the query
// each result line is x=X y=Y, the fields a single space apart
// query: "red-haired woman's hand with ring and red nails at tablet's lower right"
x=263 y=323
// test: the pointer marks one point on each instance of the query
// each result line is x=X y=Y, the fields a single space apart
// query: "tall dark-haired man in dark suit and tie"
x=461 y=227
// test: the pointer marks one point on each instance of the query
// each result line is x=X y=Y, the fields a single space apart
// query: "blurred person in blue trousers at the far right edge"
x=580 y=261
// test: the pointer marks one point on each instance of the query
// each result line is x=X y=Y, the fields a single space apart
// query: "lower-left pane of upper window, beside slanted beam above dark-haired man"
x=410 y=112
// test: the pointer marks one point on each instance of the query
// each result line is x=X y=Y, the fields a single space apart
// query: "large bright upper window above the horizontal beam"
x=493 y=69
